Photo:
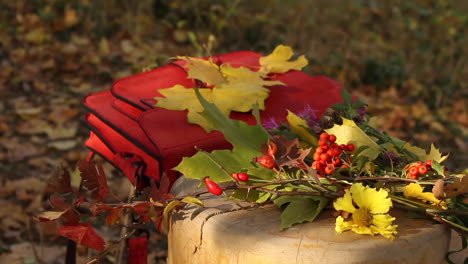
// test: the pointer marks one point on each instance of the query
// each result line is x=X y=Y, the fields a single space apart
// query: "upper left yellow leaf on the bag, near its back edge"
x=204 y=70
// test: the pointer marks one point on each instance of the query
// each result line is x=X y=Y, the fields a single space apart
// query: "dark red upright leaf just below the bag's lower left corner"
x=94 y=179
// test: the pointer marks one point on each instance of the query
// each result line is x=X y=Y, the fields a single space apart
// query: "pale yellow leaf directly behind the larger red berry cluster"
x=349 y=132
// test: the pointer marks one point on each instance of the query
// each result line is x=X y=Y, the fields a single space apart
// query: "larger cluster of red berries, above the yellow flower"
x=327 y=154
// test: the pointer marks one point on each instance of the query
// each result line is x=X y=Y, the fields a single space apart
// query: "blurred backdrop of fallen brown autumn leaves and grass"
x=407 y=59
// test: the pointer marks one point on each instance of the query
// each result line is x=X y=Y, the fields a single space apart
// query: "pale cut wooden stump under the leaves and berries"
x=220 y=235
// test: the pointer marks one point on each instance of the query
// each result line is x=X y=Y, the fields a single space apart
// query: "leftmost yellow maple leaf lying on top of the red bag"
x=181 y=98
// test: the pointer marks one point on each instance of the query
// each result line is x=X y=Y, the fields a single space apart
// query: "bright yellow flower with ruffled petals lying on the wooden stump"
x=369 y=211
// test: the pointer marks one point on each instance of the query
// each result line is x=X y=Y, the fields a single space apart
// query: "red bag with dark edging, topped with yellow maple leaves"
x=140 y=139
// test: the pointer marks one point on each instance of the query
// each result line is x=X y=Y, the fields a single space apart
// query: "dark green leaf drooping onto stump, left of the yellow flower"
x=299 y=208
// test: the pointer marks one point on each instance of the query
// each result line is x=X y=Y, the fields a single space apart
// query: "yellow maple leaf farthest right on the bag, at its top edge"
x=278 y=61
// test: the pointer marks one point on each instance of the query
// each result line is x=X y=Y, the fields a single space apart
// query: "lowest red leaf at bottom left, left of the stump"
x=82 y=234
